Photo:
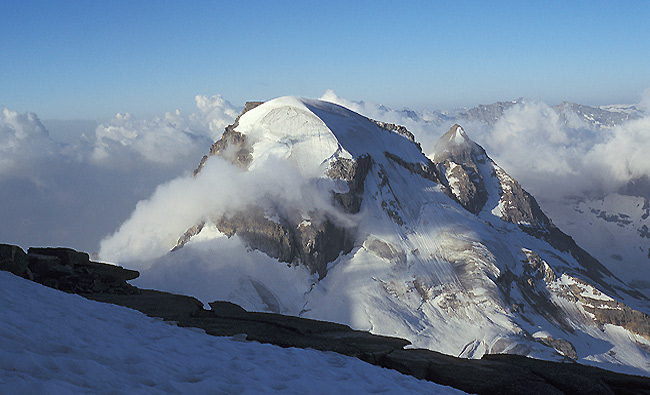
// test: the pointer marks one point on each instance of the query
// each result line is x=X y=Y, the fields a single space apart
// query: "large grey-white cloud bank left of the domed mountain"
x=74 y=193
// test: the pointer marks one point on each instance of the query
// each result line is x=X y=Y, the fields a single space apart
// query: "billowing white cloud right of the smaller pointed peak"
x=558 y=155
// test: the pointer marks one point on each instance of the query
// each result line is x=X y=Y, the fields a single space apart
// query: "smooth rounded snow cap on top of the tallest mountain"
x=311 y=132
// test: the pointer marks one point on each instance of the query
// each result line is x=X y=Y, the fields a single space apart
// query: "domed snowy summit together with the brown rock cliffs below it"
x=331 y=150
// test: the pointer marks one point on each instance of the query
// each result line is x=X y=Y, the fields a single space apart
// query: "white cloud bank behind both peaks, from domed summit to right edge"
x=553 y=152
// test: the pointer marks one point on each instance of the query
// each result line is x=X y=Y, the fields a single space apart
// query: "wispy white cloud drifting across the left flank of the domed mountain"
x=221 y=188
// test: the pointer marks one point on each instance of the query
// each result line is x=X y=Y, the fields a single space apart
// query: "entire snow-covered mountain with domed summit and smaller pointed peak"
x=453 y=255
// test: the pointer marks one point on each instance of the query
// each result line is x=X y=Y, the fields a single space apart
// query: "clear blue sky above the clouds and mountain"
x=92 y=59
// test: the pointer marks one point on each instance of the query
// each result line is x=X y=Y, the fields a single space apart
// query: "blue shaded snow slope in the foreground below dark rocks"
x=52 y=342
